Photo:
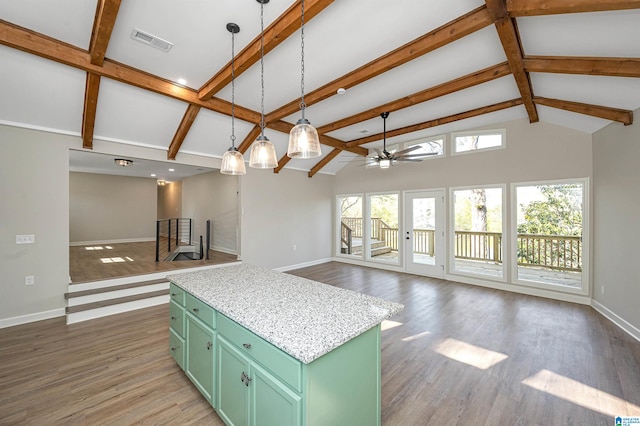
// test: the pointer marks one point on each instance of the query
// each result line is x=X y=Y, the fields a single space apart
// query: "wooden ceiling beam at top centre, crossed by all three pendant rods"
x=286 y=24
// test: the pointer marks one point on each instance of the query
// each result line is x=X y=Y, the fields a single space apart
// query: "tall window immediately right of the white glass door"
x=477 y=231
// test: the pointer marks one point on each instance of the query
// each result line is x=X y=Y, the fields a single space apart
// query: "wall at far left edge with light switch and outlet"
x=34 y=194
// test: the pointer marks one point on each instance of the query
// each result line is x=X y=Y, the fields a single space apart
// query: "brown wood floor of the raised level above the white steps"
x=104 y=261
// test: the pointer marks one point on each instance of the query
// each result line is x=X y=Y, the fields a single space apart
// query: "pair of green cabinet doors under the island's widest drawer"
x=249 y=395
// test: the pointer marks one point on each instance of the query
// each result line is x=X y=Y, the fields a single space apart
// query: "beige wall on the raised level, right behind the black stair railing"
x=213 y=196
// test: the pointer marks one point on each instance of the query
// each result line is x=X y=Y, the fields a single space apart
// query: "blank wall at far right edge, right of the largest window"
x=616 y=190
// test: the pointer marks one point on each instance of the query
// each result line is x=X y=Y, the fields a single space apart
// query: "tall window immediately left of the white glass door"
x=383 y=231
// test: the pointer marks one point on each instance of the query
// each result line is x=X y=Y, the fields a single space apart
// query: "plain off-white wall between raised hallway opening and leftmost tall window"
x=282 y=210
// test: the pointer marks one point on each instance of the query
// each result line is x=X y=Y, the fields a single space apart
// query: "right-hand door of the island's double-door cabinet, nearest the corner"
x=273 y=403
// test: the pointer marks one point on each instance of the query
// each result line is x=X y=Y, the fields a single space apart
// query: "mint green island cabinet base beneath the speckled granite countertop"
x=251 y=382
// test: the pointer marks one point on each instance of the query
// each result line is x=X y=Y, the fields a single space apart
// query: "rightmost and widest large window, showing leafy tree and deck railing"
x=550 y=225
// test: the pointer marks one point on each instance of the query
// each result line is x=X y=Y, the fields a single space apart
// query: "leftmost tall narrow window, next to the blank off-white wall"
x=350 y=225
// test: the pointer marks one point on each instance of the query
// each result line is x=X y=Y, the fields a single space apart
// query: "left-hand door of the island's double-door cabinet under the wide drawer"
x=233 y=384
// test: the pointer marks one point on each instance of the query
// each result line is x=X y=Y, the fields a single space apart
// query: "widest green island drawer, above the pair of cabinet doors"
x=284 y=366
